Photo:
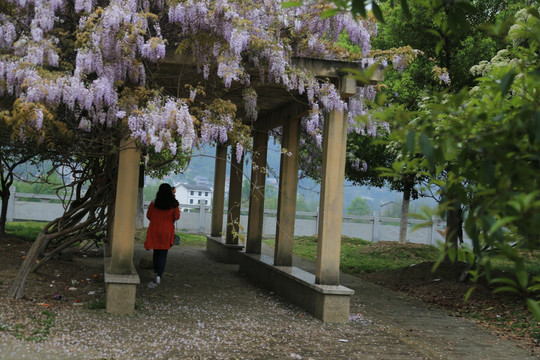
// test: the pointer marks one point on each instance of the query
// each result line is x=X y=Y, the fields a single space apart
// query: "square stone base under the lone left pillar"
x=120 y=290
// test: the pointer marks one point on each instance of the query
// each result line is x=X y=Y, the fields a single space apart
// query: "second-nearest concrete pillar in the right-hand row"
x=288 y=184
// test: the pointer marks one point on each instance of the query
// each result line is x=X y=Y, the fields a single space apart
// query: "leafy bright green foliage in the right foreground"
x=491 y=136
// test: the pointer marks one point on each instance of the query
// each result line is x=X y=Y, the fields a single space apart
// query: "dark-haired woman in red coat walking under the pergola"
x=162 y=213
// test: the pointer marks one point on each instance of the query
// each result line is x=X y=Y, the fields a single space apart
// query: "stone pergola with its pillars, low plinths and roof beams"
x=319 y=293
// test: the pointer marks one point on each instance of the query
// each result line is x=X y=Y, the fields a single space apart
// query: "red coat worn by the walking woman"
x=160 y=233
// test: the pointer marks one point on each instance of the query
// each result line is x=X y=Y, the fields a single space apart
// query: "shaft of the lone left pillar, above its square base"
x=125 y=208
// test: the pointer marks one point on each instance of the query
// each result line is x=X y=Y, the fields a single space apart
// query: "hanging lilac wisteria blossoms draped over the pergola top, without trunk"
x=114 y=41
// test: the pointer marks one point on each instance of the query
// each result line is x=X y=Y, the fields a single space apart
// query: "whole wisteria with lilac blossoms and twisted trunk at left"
x=81 y=75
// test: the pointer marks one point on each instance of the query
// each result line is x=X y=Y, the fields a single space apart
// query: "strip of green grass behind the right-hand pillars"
x=359 y=255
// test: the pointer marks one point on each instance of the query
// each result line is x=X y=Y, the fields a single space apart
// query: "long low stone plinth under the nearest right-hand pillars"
x=329 y=303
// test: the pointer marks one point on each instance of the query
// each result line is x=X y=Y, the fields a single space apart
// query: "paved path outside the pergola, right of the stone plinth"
x=433 y=332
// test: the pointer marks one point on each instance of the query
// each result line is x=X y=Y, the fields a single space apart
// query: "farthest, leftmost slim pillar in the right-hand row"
x=218 y=200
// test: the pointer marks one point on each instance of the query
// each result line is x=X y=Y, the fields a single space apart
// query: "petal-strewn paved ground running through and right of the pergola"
x=206 y=310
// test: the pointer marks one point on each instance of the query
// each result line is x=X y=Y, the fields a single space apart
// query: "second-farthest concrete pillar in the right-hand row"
x=235 y=198
